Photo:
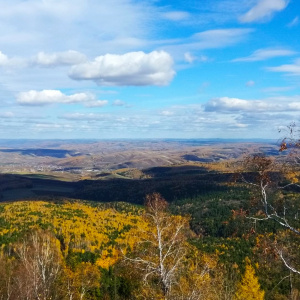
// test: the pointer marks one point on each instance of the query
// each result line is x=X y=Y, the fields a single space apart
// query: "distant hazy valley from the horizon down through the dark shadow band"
x=117 y=170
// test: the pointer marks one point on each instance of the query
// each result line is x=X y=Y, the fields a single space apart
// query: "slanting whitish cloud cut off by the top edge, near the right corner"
x=263 y=10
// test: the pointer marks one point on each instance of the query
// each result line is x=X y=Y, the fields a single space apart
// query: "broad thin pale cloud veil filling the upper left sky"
x=56 y=25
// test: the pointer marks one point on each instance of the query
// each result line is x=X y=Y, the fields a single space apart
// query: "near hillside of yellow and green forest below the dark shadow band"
x=83 y=250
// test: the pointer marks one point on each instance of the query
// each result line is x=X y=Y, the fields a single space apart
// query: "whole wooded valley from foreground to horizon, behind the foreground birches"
x=89 y=198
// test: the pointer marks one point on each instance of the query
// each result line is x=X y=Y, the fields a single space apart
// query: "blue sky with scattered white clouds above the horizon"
x=148 y=69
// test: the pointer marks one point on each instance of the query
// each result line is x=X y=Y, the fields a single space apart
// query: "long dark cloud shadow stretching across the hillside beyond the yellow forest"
x=172 y=182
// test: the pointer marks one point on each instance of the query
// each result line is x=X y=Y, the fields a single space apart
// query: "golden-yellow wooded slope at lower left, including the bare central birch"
x=73 y=250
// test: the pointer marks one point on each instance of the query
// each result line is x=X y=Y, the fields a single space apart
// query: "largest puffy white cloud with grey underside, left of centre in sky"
x=133 y=68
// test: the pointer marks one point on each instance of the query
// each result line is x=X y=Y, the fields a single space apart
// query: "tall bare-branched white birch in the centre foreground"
x=164 y=258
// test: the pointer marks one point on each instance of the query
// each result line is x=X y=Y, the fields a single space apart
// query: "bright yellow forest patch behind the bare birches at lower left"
x=80 y=226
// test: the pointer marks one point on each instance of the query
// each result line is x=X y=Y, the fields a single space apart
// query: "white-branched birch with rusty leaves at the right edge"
x=270 y=178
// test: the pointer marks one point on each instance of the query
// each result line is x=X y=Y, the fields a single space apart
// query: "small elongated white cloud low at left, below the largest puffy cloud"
x=47 y=97
